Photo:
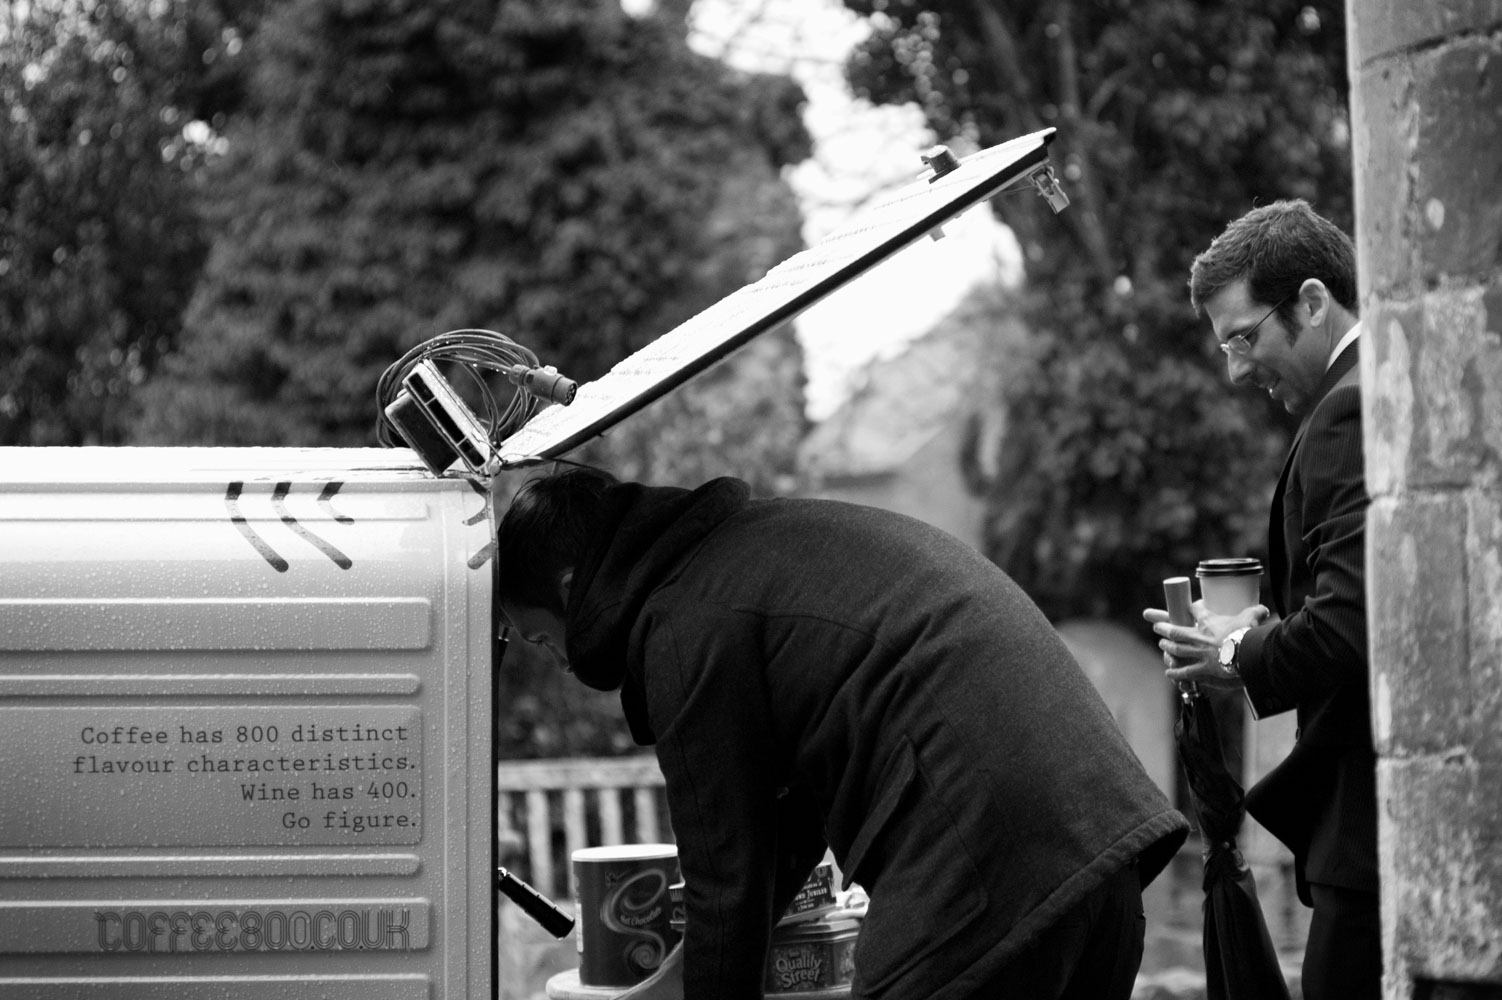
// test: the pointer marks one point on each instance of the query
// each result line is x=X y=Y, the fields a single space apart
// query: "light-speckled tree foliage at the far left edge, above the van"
x=97 y=245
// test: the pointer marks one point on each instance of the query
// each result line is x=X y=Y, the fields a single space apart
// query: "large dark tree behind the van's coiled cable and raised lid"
x=408 y=167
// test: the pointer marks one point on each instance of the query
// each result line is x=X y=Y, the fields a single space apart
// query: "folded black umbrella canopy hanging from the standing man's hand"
x=1240 y=960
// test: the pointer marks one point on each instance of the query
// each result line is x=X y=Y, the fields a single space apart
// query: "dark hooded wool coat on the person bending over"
x=822 y=673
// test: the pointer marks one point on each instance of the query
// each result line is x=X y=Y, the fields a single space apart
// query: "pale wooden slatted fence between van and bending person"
x=549 y=809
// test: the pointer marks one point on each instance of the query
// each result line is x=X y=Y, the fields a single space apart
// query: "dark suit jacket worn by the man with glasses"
x=1321 y=801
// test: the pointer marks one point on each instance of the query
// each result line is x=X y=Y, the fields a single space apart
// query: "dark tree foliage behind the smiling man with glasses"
x=1127 y=454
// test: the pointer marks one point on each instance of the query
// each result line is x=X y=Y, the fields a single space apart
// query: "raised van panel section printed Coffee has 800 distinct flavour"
x=211 y=777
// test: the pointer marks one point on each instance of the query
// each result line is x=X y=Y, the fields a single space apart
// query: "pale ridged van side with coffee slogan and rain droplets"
x=246 y=709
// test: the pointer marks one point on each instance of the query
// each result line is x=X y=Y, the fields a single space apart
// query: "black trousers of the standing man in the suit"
x=1344 y=956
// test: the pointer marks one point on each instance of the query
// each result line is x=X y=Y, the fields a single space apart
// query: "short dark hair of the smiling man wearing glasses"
x=1277 y=248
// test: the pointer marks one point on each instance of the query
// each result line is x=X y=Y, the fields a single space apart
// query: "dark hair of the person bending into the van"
x=544 y=532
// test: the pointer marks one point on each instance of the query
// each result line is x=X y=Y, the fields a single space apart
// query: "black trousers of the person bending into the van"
x=1091 y=954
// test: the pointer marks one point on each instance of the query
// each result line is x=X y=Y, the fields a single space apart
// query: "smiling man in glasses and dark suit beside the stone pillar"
x=1280 y=291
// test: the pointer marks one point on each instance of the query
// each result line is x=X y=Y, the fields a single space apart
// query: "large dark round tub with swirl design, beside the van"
x=624 y=912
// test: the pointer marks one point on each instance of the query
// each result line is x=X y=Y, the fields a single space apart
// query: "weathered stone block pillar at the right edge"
x=1428 y=136
